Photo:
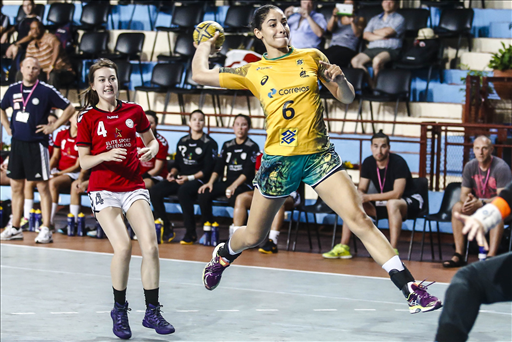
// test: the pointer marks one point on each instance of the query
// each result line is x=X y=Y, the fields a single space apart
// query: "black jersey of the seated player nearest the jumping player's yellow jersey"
x=239 y=159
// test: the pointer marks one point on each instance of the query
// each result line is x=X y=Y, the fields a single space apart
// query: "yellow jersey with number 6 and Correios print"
x=287 y=88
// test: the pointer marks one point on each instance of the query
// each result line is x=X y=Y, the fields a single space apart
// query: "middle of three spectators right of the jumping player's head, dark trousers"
x=346 y=32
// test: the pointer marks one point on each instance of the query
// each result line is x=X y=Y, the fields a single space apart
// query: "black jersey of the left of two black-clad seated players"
x=193 y=156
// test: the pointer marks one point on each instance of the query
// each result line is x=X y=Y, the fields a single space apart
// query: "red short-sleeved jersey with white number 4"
x=103 y=131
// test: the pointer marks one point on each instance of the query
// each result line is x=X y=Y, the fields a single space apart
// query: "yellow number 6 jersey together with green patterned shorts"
x=297 y=146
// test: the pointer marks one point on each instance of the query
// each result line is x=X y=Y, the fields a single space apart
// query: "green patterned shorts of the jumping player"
x=279 y=176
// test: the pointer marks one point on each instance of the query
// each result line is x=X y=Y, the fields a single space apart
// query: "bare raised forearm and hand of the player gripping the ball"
x=201 y=72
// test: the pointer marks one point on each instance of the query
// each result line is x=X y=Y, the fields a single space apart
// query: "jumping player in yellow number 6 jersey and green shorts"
x=297 y=148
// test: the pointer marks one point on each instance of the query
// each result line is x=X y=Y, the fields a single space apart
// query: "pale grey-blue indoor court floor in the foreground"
x=55 y=294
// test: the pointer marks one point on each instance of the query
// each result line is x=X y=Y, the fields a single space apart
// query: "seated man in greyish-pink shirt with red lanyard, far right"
x=483 y=179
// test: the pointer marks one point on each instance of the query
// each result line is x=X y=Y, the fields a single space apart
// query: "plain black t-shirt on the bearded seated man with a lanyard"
x=397 y=168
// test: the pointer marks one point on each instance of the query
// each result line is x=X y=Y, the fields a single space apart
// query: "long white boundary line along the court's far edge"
x=204 y=262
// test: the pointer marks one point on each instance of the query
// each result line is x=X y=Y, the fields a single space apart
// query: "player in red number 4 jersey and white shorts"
x=107 y=145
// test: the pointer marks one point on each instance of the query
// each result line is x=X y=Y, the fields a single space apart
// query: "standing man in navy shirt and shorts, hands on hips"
x=31 y=101
